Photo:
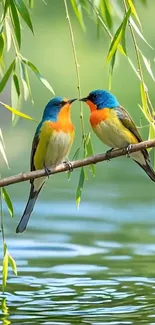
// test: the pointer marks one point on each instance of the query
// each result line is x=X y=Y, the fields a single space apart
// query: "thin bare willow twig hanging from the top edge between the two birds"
x=76 y=66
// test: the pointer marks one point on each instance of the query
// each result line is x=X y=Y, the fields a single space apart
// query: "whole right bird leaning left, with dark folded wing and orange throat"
x=114 y=126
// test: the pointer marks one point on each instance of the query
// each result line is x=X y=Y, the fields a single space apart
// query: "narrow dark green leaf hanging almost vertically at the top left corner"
x=15 y=22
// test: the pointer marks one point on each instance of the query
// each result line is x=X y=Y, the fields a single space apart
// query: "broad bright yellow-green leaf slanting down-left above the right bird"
x=118 y=36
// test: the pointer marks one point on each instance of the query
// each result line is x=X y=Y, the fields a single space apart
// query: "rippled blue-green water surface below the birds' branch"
x=95 y=265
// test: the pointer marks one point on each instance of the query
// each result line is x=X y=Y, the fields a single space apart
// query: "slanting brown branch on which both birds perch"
x=77 y=163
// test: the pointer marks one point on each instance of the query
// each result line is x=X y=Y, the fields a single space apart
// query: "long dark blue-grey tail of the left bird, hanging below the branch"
x=29 y=208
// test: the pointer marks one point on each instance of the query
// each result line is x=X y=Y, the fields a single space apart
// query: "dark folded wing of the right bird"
x=128 y=123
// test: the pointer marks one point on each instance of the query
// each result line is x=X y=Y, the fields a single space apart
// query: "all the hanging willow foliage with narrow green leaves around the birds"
x=105 y=14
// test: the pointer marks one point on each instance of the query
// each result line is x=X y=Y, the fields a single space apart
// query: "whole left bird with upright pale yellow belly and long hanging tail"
x=51 y=145
